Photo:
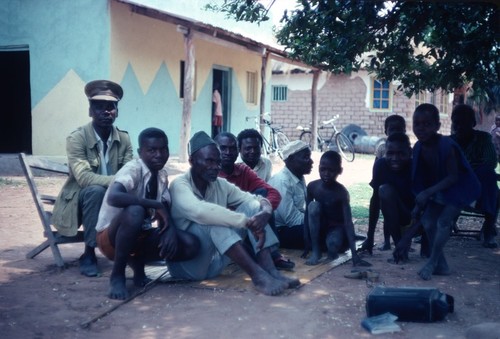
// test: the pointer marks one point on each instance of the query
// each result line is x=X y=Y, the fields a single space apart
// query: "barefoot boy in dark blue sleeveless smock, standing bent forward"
x=443 y=182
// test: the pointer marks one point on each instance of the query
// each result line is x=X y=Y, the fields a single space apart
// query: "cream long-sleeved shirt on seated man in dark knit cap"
x=190 y=206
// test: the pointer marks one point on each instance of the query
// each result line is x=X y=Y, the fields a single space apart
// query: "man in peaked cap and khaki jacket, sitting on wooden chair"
x=96 y=151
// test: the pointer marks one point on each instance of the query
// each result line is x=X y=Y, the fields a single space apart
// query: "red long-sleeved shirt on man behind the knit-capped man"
x=246 y=179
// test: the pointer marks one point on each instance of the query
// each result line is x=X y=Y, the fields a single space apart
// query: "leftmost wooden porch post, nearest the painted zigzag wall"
x=188 y=95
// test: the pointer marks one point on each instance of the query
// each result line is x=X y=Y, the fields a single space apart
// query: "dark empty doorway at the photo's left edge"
x=15 y=115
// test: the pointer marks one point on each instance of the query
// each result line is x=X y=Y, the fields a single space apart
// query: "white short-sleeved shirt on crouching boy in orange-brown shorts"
x=134 y=176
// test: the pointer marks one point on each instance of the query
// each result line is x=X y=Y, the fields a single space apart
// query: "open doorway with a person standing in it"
x=220 y=101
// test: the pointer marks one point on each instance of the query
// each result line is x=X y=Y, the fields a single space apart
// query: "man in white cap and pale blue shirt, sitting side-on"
x=290 y=183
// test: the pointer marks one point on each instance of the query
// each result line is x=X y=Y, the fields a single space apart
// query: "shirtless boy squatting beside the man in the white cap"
x=328 y=213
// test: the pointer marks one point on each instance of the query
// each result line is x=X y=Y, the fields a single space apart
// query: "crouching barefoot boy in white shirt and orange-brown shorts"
x=137 y=196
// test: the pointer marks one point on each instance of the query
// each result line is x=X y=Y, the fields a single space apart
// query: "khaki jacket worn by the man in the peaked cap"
x=84 y=165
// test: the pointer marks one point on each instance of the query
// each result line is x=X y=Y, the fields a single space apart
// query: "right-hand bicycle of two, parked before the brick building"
x=342 y=143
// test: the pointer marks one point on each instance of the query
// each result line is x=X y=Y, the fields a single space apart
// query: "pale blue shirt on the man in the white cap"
x=291 y=210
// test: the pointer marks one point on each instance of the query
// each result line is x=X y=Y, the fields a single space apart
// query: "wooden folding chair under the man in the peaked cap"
x=53 y=238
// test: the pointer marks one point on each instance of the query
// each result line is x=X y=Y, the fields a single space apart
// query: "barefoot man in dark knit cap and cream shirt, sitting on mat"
x=200 y=205
